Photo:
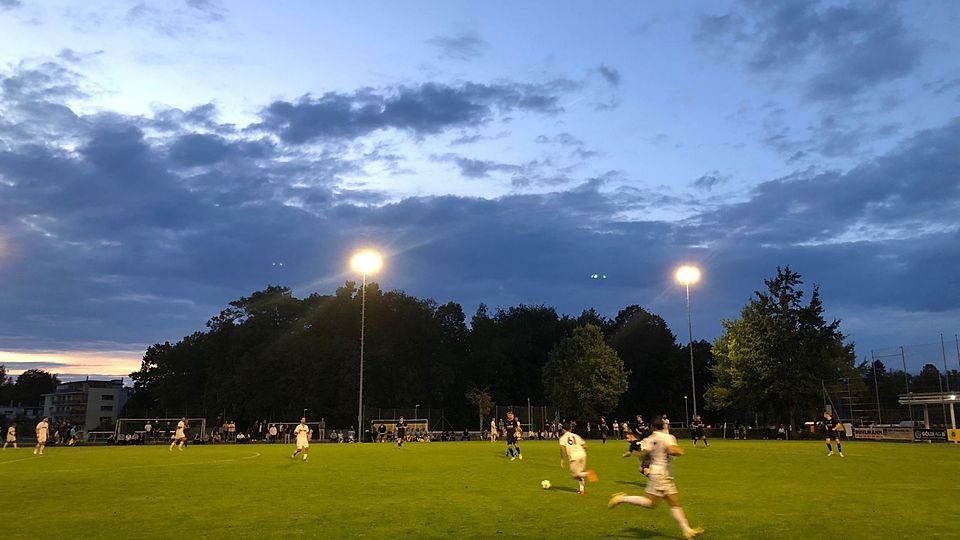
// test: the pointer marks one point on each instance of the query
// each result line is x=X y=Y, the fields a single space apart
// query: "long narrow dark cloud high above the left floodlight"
x=425 y=109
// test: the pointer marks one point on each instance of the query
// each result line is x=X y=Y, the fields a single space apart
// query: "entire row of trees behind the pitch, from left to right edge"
x=271 y=355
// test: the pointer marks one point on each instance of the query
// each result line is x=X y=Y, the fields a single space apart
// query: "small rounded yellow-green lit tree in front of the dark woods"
x=584 y=376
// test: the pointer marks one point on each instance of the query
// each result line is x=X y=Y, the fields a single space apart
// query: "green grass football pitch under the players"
x=735 y=489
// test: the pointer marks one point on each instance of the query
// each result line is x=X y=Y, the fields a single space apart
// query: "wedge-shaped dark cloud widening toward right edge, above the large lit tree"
x=889 y=196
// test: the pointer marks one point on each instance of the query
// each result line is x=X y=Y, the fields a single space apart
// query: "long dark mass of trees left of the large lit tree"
x=270 y=355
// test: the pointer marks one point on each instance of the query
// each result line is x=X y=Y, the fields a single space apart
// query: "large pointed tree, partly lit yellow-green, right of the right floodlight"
x=773 y=359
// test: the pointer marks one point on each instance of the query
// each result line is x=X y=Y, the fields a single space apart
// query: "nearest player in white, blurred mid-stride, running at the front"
x=661 y=446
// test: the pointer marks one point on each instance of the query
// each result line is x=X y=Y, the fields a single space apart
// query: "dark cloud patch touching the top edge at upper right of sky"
x=848 y=48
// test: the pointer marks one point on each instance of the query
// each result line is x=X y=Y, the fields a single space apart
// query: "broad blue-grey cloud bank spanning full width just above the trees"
x=137 y=230
